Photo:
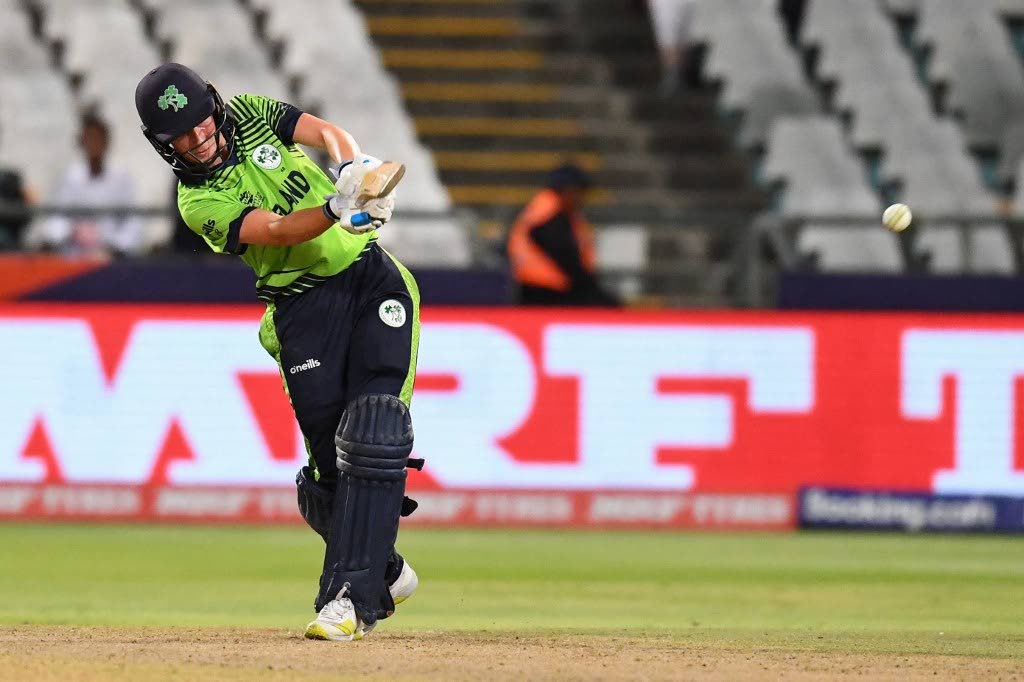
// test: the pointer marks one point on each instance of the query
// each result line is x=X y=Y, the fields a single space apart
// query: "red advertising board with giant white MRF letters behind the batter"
x=535 y=401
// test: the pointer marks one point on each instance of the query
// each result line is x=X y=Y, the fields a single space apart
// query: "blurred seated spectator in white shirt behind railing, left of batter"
x=92 y=182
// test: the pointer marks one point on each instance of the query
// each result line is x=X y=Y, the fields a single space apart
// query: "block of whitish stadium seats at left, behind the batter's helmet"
x=346 y=67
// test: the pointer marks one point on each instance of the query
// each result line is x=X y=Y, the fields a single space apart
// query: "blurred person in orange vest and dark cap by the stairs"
x=551 y=245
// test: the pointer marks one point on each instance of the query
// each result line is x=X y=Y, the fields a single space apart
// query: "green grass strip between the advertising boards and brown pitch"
x=941 y=594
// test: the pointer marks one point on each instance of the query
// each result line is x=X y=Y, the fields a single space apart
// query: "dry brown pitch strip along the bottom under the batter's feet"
x=110 y=654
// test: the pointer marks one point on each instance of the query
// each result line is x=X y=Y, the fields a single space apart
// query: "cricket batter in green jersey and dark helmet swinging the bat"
x=343 y=315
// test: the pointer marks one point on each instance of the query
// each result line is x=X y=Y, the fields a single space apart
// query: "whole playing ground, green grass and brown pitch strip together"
x=191 y=604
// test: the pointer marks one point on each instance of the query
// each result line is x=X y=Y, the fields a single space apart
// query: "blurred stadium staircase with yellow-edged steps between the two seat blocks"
x=503 y=91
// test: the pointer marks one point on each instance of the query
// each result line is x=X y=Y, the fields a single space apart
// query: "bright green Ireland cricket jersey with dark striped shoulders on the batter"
x=269 y=172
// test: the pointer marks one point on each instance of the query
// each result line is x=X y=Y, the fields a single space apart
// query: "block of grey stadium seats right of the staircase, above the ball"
x=887 y=114
